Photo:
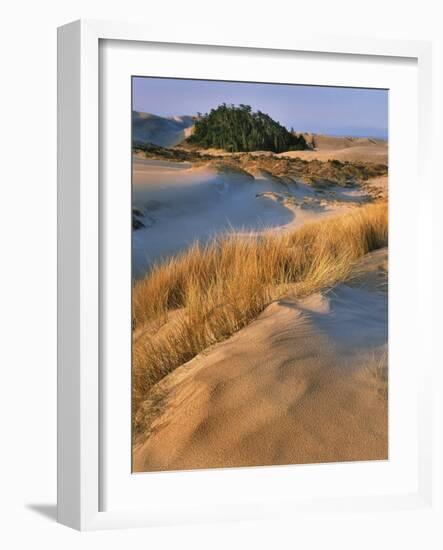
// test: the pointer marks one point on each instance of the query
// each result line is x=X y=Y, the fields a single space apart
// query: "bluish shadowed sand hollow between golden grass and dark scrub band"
x=182 y=204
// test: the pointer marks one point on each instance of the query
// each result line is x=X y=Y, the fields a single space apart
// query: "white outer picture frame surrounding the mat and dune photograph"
x=80 y=413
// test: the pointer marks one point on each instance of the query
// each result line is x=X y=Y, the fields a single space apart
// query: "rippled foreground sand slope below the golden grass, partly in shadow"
x=301 y=384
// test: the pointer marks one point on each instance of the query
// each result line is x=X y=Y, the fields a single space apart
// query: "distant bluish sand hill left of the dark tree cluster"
x=166 y=132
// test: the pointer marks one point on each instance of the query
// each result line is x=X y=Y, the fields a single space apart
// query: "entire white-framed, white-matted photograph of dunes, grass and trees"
x=238 y=232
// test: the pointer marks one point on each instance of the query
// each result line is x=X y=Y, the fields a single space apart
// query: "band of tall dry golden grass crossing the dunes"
x=206 y=294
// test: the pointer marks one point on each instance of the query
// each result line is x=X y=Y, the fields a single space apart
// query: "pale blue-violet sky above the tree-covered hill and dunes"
x=320 y=109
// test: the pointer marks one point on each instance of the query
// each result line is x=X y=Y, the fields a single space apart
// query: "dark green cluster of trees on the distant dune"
x=240 y=129
